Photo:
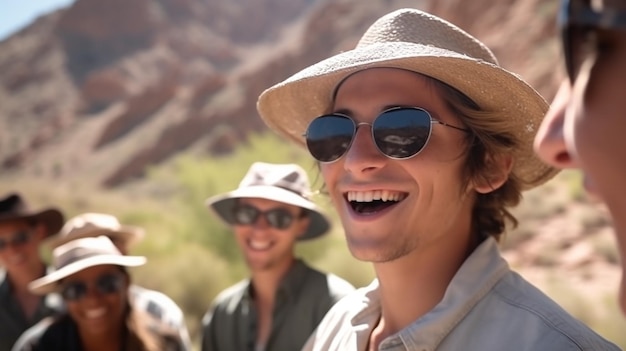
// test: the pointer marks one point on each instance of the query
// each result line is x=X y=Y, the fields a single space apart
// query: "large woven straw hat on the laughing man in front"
x=420 y=42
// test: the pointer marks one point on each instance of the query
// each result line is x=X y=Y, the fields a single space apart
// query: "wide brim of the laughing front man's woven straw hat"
x=289 y=106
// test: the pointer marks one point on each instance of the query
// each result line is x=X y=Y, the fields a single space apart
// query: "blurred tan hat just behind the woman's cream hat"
x=95 y=224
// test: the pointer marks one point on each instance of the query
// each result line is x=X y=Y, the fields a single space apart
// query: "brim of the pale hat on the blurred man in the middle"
x=223 y=205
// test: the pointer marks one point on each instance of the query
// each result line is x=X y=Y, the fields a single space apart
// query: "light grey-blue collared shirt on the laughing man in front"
x=486 y=307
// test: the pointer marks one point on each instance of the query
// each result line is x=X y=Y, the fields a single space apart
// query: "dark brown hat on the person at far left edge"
x=13 y=207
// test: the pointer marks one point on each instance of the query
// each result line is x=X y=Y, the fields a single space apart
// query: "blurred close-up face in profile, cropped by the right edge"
x=587 y=120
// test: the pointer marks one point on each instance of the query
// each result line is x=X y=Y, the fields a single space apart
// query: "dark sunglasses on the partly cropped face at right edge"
x=579 y=23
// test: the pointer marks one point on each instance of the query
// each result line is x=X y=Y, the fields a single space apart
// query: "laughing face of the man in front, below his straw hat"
x=429 y=202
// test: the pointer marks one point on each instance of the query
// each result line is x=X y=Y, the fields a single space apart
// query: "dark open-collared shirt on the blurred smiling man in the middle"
x=304 y=297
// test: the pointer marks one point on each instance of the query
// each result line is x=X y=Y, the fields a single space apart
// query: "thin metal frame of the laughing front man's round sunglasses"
x=357 y=125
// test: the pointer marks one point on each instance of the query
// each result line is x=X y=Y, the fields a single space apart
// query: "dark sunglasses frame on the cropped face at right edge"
x=578 y=13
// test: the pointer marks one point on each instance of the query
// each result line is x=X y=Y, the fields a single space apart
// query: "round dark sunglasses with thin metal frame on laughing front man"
x=399 y=133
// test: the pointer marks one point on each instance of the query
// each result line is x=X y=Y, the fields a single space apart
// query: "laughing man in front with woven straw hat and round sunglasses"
x=424 y=143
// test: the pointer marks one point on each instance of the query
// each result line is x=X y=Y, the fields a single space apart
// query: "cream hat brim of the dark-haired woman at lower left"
x=49 y=283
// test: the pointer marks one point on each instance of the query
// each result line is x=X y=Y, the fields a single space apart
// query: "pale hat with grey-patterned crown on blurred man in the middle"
x=286 y=183
